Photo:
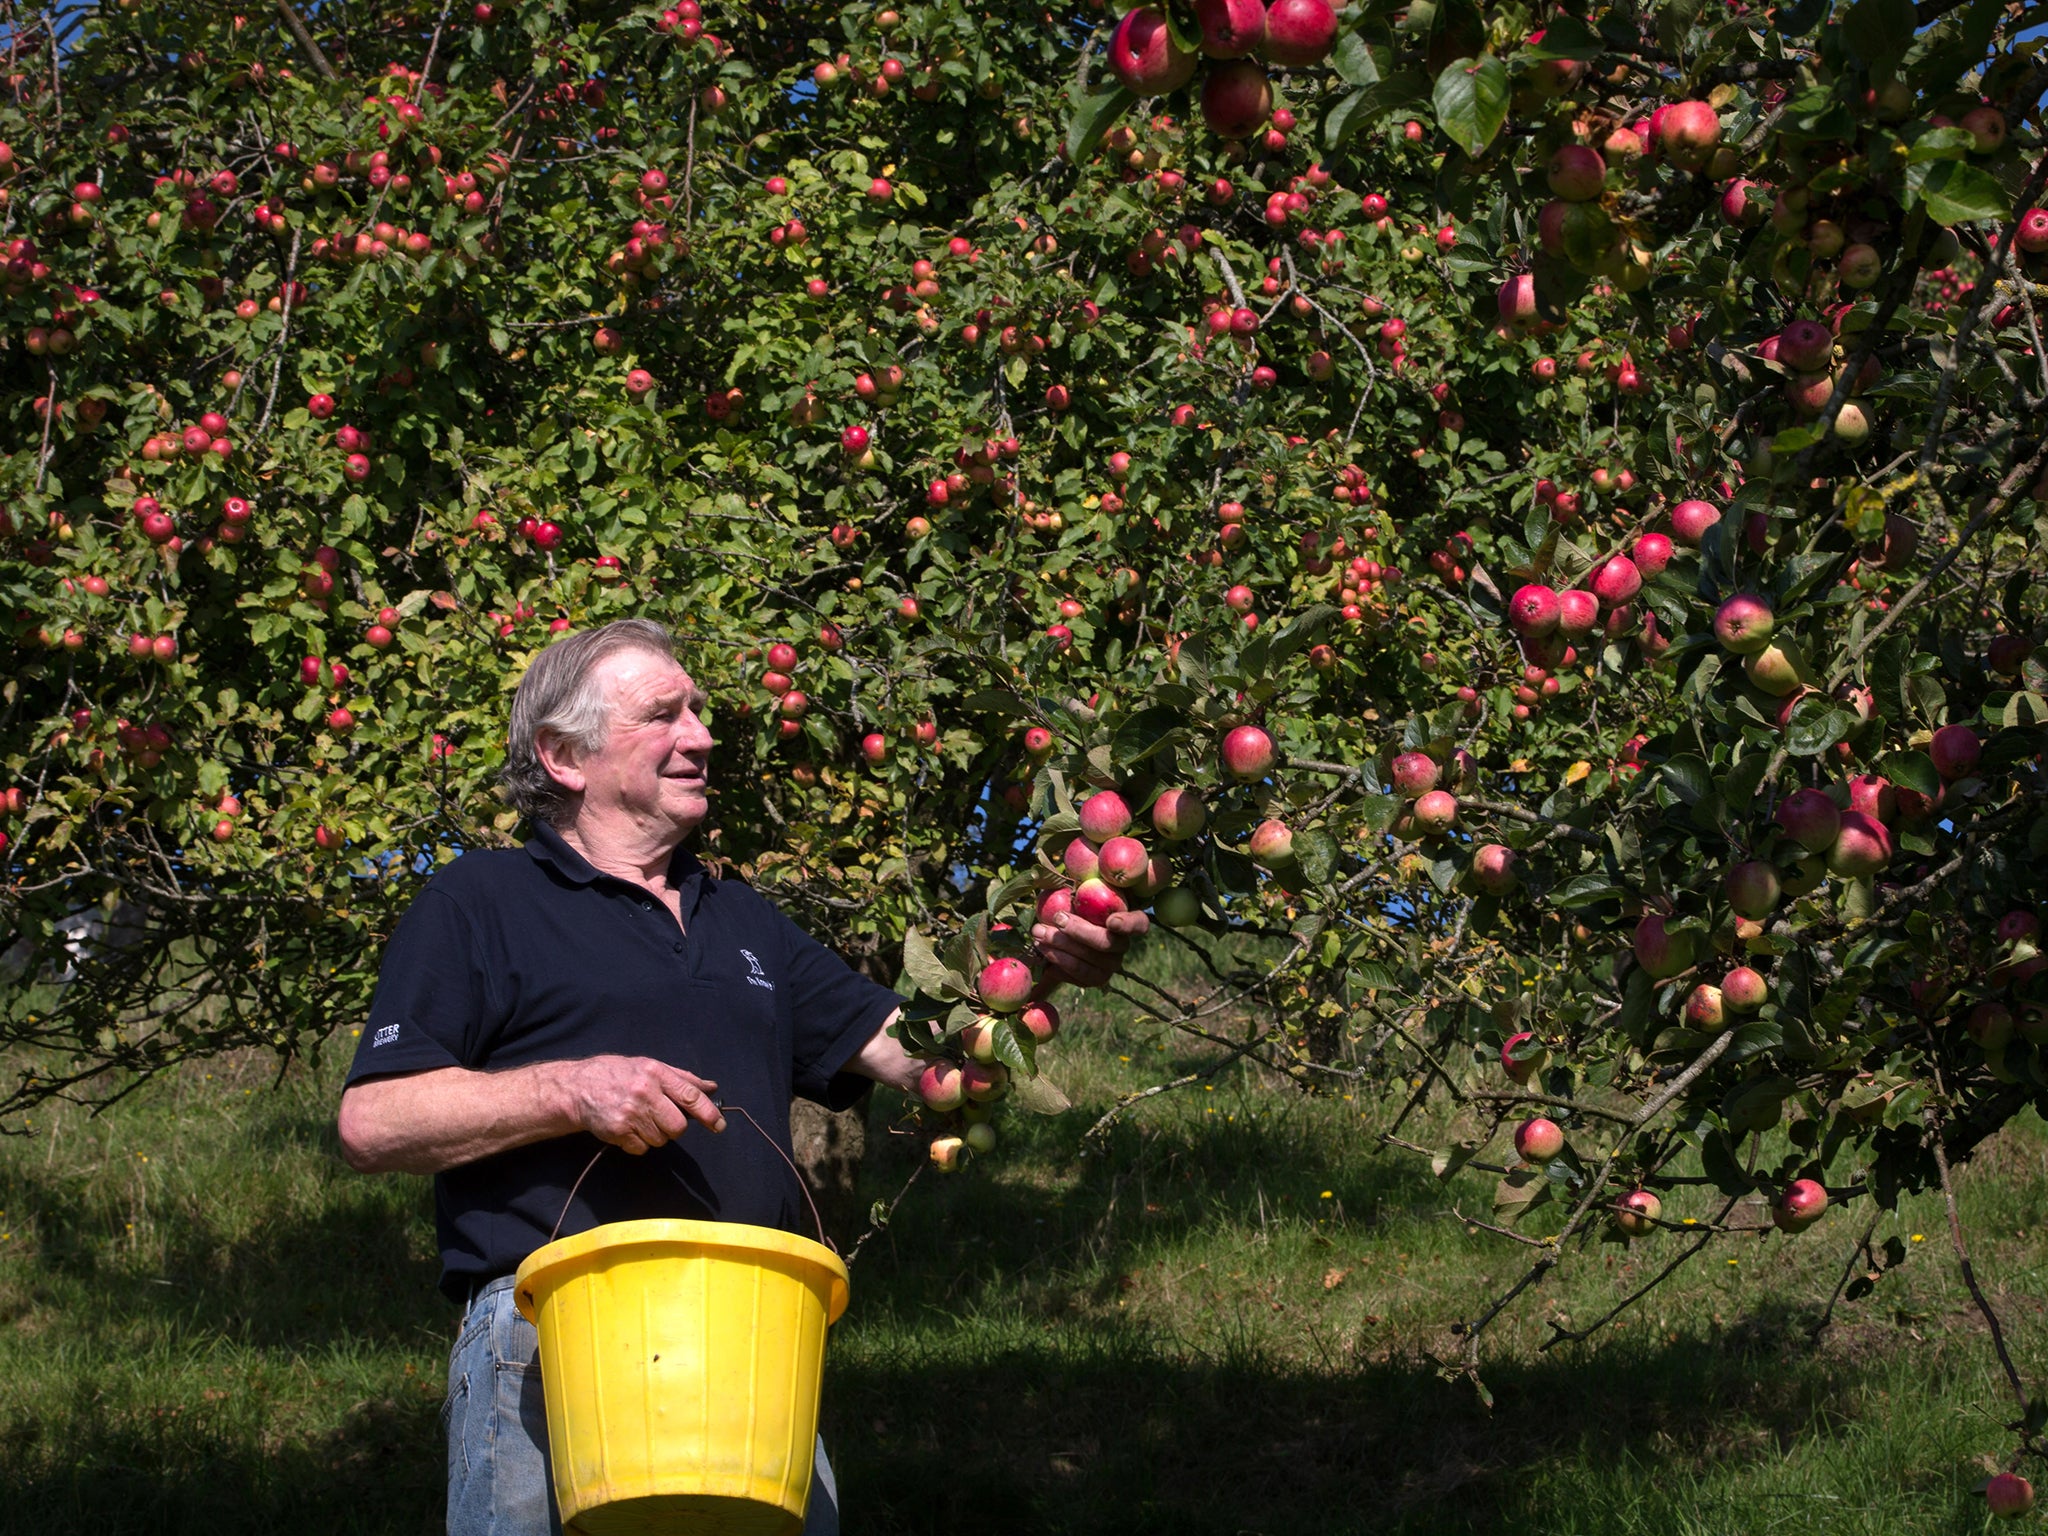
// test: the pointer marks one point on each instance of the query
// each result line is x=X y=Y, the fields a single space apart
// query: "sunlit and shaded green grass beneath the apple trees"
x=1222 y=1324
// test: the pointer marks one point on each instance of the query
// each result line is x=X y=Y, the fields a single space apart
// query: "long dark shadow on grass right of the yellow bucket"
x=1119 y=1435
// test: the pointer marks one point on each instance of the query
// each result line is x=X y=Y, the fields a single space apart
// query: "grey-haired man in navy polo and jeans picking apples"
x=601 y=988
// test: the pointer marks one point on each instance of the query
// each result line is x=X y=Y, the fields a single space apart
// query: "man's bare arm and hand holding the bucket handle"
x=431 y=1121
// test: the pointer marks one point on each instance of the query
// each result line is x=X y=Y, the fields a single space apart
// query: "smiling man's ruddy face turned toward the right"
x=652 y=767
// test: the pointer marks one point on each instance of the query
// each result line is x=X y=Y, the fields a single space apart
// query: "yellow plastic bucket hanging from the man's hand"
x=681 y=1365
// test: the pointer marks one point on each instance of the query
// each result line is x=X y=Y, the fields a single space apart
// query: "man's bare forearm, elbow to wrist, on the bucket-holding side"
x=431 y=1121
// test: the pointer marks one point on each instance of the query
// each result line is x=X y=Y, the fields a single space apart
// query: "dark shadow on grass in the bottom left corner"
x=169 y=1471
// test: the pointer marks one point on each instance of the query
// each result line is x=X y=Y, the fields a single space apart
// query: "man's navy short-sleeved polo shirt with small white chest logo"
x=511 y=957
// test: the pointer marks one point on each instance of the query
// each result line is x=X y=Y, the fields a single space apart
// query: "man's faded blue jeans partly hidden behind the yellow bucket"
x=499 y=1474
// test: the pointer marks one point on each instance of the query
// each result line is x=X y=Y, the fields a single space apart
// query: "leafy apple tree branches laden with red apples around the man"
x=1535 y=509
